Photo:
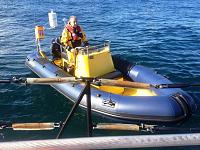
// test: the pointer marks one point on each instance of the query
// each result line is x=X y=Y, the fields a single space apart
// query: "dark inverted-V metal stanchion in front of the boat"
x=86 y=91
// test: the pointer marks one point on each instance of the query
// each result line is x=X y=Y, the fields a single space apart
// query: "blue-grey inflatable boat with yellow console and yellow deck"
x=167 y=105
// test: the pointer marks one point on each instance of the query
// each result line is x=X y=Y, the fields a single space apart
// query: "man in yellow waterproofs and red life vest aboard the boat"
x=73 y=36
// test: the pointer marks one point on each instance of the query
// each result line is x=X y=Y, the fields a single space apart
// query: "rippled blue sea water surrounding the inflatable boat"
x=163 y=35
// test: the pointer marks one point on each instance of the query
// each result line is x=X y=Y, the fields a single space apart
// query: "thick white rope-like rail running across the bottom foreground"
x=112 y=142
